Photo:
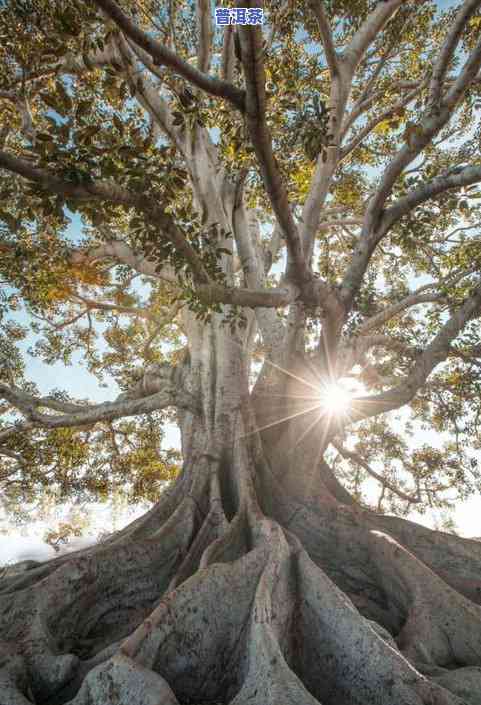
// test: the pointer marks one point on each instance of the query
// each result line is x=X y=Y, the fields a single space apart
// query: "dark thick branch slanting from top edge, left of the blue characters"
x=163 y=56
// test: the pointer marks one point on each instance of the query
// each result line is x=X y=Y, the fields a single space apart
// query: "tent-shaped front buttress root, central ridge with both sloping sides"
x=285 y=635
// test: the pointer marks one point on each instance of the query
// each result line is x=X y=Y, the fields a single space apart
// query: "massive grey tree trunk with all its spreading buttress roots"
x=255 y=579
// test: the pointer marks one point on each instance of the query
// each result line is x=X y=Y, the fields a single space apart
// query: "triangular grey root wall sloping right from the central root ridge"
x=359 y=665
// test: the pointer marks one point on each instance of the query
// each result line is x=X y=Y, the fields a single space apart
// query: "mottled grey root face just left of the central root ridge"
x=195 y=635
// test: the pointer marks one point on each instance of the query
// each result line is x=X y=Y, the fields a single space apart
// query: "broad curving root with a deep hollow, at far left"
x=93 y=600
